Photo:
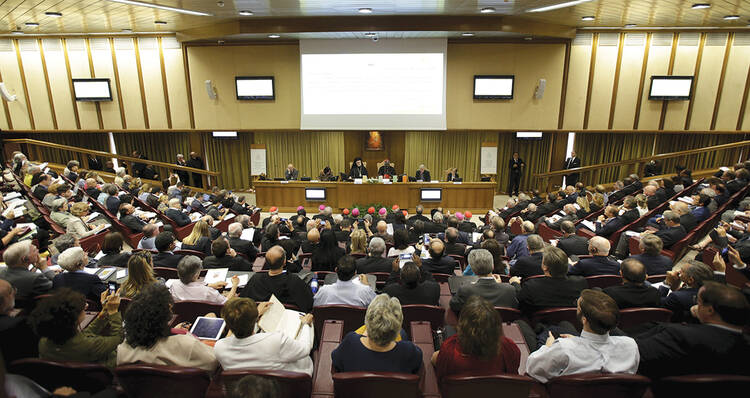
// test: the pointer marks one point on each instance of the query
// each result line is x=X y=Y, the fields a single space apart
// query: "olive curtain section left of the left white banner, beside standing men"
x=231 y=158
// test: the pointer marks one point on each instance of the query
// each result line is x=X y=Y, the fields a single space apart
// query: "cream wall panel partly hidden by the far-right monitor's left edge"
x=658 y=64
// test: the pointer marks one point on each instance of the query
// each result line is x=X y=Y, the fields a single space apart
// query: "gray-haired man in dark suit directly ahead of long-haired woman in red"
x=493 y=290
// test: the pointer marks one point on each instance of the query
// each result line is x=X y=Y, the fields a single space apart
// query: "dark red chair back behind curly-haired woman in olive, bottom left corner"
x=89 y=377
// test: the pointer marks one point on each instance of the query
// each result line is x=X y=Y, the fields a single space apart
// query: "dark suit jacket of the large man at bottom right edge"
x=673 y=349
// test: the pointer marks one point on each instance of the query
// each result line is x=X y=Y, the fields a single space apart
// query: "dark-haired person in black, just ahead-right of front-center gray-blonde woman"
x=409 y=290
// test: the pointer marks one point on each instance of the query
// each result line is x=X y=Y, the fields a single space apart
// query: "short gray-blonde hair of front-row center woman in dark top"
x=383 y=319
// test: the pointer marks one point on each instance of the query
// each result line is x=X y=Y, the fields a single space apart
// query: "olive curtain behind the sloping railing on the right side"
x=610 y=147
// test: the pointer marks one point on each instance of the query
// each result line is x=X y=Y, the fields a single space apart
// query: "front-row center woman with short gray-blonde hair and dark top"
x=378 y=350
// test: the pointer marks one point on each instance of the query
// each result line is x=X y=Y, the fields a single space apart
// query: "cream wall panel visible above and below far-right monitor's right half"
x=686 y=55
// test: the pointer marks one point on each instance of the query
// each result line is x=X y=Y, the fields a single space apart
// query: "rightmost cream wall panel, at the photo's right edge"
x=734 y=84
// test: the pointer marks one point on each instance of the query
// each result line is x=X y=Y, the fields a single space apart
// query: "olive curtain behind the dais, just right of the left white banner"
x=309 y=152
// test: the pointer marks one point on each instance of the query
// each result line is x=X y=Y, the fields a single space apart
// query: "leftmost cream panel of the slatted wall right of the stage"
x=575 y=99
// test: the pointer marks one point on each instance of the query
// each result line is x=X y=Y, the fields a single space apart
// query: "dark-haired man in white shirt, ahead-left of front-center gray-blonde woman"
x=349 y=289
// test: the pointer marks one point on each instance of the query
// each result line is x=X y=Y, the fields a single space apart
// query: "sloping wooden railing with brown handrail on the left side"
x=129 y=159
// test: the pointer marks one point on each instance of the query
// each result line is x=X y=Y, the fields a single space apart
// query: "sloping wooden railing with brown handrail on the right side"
x=593 y=171
